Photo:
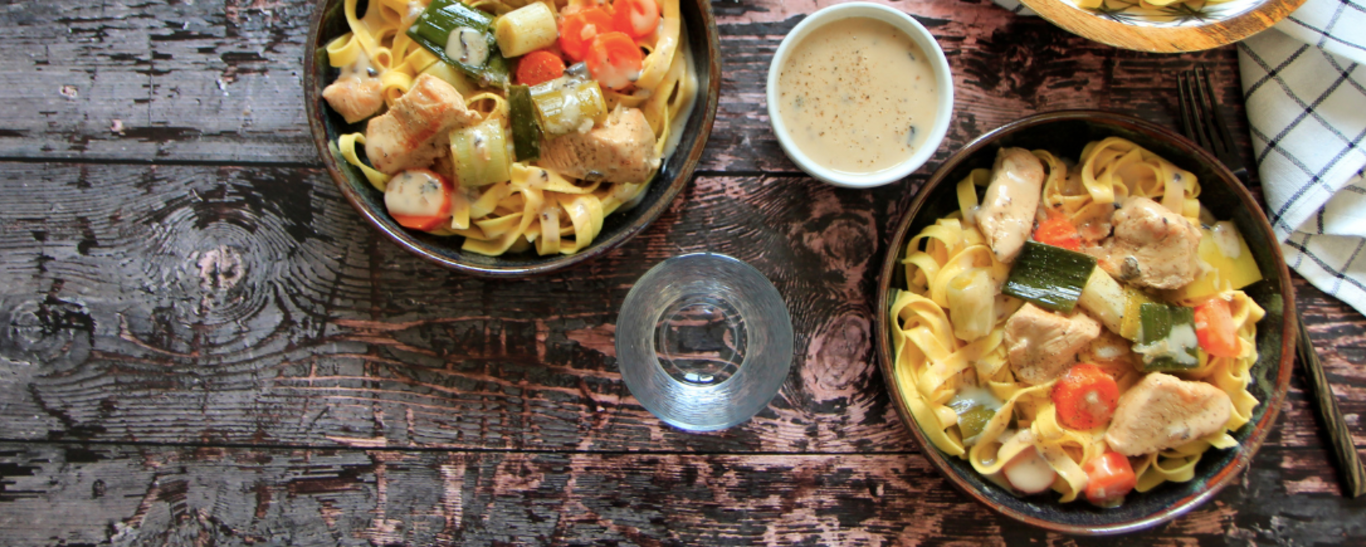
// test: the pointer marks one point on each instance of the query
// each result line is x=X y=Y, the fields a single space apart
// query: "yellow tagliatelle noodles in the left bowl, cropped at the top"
x=538 y=207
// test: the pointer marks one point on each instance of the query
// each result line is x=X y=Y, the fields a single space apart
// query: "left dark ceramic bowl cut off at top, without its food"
x=329 y=23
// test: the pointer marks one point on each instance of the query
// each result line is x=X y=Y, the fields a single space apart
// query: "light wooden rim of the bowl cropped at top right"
x=1163 y=40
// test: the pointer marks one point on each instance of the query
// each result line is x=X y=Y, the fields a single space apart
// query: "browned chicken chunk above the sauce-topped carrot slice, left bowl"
x=415 y=131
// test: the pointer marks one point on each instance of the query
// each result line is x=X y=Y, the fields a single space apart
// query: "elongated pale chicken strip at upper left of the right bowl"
x=1007 y=213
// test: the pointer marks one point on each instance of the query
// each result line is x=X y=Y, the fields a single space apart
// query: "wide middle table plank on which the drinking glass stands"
x=252 y=306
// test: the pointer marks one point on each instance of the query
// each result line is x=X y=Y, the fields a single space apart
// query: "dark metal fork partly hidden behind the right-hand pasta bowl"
x=1203 y=122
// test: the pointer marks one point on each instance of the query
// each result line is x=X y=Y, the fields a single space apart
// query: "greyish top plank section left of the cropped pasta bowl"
x=155 y=80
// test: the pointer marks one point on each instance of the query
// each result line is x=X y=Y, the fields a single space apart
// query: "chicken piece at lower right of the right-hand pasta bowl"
x=1163 y=412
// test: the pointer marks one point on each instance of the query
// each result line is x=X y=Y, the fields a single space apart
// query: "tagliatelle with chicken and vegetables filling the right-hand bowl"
x=1106 y=351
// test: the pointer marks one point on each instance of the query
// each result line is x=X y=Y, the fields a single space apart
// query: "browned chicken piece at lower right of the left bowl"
x=621 y=151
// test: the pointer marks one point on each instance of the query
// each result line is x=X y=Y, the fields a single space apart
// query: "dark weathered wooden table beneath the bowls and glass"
x=204 y=344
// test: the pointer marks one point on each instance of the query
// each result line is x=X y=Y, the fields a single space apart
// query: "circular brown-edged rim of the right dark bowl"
x=1222 y=477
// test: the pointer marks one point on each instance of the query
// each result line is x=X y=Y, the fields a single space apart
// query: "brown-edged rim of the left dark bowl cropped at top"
x=708 y=102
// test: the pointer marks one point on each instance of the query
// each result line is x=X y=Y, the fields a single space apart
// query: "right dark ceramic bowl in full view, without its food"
x=1066 y=133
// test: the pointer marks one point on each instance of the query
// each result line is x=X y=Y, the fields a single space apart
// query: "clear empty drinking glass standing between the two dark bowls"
x=704 y=341
